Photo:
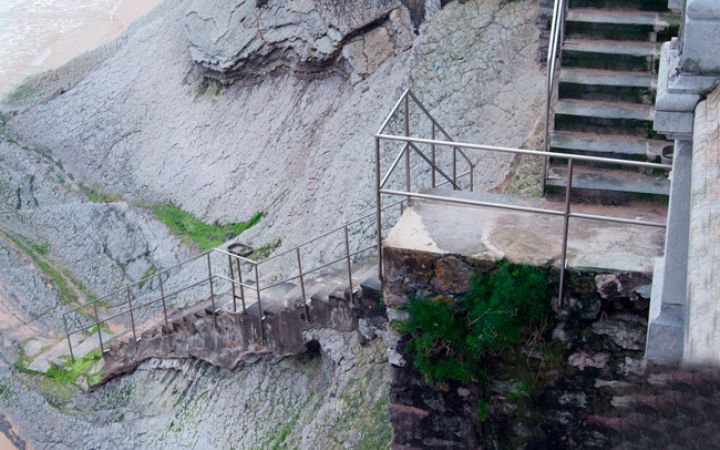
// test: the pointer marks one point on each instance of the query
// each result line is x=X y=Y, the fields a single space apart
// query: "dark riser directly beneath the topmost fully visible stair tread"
x=619 y=32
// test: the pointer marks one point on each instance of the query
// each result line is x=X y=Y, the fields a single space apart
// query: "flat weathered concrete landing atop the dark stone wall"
x=528 y=238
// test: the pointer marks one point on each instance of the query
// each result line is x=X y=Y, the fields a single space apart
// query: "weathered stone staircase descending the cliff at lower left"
x=221 y=336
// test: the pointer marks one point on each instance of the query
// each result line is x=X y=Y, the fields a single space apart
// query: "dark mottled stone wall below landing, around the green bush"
x=588 y=384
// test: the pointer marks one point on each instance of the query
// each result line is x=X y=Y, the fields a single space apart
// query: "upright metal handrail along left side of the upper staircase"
x=557 y=34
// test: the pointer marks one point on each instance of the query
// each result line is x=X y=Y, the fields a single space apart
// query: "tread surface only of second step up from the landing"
x=607 y=143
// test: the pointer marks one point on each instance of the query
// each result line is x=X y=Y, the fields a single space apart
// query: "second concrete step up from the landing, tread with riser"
x=607 y=145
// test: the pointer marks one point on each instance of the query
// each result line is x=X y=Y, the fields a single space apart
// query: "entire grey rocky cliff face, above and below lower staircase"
x=226 y=109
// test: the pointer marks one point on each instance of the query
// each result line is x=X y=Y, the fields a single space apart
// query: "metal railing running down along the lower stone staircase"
x=235 y=274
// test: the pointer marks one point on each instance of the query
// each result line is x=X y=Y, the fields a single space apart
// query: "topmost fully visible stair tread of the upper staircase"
x=623 y=17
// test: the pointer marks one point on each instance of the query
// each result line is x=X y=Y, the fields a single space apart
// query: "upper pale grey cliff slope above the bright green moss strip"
x=148 y=123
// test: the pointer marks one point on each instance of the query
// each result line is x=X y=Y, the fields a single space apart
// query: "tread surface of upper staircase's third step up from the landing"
x=605 y=109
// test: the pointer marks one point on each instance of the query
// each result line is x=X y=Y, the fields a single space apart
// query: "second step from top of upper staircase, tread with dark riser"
x=610 y=54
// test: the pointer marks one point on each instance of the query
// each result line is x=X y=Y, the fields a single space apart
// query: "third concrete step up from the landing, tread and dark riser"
x=603 y=117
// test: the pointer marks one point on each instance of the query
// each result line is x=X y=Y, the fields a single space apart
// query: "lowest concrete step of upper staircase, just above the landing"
x=608 y=184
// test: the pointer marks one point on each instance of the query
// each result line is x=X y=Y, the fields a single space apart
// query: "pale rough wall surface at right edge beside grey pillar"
x=702 y=338
